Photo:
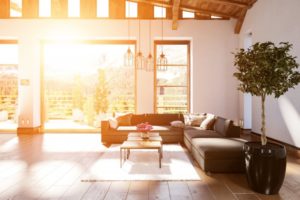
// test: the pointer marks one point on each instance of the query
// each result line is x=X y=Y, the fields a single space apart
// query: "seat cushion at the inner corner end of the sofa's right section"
x=197 y=132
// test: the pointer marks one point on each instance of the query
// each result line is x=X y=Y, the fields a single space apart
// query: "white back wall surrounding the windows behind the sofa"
x=212 y=83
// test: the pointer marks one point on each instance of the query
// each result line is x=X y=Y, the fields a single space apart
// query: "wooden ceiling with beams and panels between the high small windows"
x=203 y=9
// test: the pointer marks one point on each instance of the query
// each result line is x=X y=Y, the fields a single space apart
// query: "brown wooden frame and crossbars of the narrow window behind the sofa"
x=188 y=65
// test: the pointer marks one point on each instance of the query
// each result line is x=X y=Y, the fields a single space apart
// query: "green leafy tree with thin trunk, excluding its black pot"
x=266 y=69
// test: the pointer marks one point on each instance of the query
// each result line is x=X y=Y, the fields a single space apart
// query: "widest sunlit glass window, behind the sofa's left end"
x=85 y=82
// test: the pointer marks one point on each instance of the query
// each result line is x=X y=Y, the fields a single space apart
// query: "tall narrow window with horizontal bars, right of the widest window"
x=172 y=86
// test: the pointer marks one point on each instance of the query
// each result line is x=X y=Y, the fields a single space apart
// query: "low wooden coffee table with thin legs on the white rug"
x=134 y=141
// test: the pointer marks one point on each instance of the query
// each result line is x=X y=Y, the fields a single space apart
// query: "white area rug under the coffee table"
x=143 y=165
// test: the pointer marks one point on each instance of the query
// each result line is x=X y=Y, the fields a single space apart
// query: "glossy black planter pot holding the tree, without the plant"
x=265 y=166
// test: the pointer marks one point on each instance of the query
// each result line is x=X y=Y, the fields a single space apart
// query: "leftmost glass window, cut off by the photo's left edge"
x=8 y=84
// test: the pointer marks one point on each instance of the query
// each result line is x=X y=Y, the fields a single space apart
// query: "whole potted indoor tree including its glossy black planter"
x=266 y=69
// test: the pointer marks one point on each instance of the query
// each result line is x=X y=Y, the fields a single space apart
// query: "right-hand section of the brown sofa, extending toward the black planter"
x=217 y=150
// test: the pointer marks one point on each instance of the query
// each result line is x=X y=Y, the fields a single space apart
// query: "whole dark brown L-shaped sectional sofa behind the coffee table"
x=217 y=150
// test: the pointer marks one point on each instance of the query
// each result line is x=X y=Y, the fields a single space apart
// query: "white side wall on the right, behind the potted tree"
x=277 y=21
